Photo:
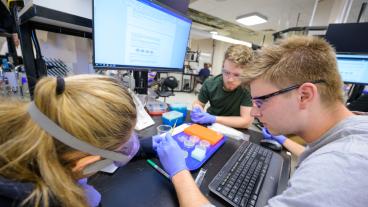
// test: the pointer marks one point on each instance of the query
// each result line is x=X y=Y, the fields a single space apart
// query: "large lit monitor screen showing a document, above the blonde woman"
x=138 y=35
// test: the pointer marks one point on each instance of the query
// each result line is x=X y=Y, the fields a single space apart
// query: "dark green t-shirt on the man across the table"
x=223 y=103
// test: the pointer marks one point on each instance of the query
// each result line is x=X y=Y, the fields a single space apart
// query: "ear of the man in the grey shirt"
x=307 y=94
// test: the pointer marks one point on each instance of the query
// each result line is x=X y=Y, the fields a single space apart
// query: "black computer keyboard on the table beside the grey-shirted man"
x=250 y=177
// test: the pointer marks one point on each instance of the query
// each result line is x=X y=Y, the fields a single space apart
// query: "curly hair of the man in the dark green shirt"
x=239 y=54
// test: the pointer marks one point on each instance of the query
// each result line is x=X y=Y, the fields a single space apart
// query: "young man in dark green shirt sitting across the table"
x=230 y=103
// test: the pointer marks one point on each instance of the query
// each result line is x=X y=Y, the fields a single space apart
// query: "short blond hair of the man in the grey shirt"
x=296 y=60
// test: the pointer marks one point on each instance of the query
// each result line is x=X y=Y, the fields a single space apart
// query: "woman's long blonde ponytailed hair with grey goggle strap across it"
x=95 y=109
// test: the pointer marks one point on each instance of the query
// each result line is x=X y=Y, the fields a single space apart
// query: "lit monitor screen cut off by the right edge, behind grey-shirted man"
x=353 y=68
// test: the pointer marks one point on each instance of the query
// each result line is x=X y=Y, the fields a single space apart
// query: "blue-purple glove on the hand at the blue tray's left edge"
x=171 y=156
